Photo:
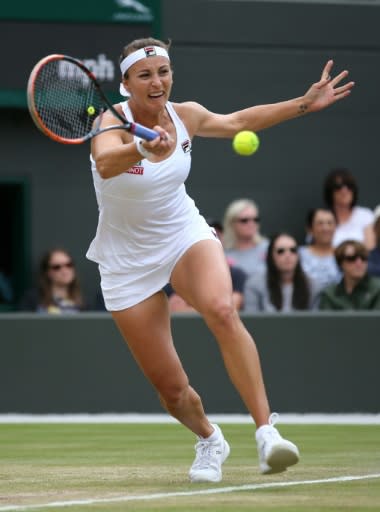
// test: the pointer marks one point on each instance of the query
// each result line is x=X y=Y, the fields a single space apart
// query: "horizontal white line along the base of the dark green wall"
x=285 y=418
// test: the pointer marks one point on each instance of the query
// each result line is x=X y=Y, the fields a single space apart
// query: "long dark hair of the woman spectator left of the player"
x=44 y=282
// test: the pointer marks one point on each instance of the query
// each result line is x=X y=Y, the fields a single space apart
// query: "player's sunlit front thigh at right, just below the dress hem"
x=202 y=276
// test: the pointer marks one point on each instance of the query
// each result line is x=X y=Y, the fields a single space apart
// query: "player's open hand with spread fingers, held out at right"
x=328 y=90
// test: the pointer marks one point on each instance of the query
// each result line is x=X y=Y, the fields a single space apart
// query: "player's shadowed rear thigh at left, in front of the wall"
x=146 y=330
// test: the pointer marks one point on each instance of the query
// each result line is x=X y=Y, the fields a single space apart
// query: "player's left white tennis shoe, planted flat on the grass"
x=210 y=455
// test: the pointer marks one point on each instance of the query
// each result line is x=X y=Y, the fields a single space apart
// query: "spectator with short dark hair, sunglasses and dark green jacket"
x=357 y=289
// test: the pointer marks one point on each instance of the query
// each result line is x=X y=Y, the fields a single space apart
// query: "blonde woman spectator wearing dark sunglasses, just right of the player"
x=243 y=243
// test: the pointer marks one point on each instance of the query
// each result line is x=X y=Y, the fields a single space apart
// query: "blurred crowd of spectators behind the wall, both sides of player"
x=337 y=267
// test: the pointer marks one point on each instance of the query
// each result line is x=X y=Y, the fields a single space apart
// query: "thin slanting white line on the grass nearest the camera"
x=161 y=495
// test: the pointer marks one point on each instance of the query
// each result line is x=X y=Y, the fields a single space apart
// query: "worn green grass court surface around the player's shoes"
x=118 y=467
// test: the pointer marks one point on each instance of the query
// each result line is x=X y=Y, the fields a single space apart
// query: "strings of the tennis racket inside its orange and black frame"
x=66 y=99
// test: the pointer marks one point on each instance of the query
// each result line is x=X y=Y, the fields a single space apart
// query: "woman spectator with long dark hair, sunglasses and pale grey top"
x=282 y=285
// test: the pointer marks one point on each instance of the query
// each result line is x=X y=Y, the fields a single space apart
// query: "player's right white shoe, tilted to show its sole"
x=275 y=453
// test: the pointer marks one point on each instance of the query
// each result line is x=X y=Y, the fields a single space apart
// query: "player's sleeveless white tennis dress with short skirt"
x=146 y=223
